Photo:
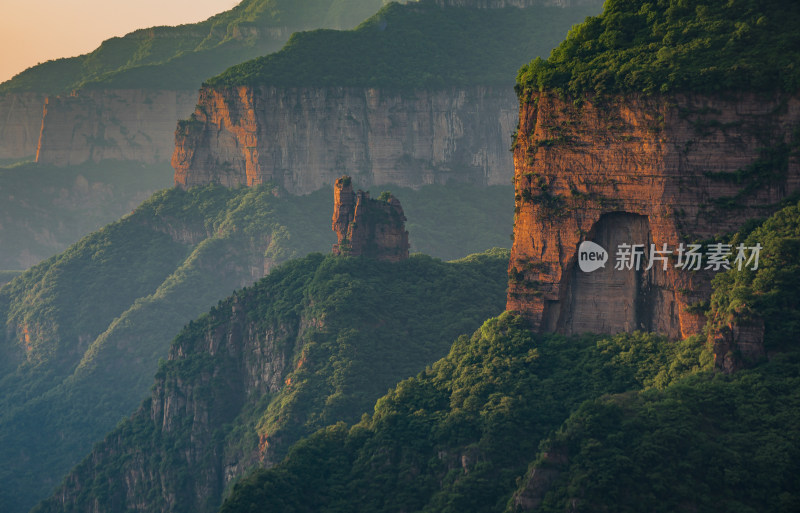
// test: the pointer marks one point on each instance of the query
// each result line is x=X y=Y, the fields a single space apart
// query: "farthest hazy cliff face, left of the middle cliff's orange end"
x=115 y=124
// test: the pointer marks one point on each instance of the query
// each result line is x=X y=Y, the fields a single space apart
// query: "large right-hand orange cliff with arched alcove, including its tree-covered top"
x=651 y=131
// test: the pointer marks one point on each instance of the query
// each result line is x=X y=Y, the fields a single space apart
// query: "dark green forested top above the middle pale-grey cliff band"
x=415 y=45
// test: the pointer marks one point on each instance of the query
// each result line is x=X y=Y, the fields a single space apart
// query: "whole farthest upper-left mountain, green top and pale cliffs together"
x=123 y=99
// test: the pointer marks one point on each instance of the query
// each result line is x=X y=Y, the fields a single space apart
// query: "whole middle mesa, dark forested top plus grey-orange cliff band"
x=373 y=102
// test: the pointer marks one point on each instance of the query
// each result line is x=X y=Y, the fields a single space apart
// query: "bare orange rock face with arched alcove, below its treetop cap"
x=636 y=169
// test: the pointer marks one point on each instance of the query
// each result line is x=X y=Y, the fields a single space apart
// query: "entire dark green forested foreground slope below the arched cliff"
x=510 y=421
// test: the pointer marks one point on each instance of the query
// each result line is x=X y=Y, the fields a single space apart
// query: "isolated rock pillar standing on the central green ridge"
x=368 y=227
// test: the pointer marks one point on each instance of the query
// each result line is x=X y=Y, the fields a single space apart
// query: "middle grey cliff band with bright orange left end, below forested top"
x=304 y=138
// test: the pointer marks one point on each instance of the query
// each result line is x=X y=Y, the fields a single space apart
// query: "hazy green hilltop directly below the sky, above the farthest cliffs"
x=182 y=57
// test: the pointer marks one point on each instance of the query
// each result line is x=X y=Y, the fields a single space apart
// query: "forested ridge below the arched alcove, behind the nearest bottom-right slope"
x=459 y=436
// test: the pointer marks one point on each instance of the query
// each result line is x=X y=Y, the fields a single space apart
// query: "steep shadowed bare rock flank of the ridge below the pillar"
x=232 y=359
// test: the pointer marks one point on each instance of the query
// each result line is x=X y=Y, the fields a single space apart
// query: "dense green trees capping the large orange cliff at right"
x=702 y=46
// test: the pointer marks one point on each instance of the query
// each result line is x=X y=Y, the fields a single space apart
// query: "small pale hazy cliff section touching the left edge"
x=20 y=123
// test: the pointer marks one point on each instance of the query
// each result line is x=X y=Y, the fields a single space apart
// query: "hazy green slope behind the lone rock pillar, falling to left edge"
x=84 y=329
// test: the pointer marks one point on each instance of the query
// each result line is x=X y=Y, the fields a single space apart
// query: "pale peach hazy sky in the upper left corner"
x=34 y=31
